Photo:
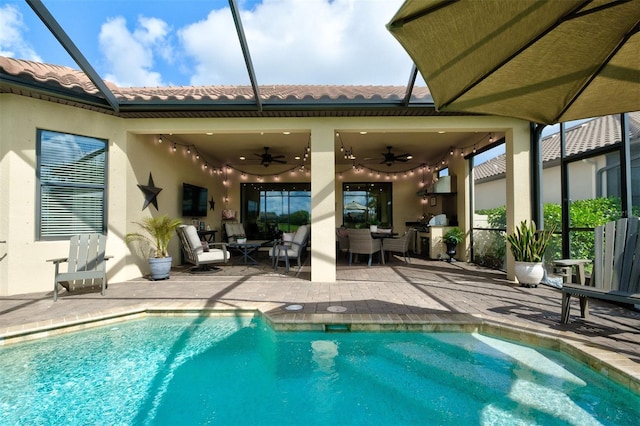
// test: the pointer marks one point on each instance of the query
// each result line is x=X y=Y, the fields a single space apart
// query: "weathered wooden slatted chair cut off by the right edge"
x=616 y=268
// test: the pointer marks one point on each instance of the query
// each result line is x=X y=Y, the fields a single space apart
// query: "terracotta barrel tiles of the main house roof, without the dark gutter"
x=65 y=78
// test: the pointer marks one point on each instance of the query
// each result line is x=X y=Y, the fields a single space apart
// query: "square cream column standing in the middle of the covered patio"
x=323 y=202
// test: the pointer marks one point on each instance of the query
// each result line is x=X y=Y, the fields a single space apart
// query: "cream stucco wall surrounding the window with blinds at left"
x=24 y=268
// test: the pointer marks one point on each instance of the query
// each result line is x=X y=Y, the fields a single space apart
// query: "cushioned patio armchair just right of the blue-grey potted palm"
x=200 y=253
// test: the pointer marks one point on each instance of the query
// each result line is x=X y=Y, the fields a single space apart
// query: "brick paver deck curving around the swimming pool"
x=420 y=295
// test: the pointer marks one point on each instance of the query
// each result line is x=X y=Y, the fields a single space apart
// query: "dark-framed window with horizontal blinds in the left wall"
x=72 y=184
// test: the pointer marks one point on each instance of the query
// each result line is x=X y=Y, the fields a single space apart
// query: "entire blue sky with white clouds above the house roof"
x=194 y=42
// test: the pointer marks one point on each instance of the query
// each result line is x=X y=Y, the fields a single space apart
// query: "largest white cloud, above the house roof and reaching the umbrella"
x=300 y=42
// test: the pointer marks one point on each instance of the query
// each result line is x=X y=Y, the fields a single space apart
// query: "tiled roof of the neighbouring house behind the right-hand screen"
x=596 y=133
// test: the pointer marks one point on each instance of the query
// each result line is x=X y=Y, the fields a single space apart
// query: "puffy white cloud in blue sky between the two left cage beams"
x=130 y=56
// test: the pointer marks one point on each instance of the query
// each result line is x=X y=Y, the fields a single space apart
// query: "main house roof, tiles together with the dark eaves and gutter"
x=54 y=82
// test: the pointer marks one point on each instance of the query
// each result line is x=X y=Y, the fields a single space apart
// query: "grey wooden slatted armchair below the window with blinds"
x=86 y=264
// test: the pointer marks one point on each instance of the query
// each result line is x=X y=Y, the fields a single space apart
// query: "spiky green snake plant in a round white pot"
x=528 y=246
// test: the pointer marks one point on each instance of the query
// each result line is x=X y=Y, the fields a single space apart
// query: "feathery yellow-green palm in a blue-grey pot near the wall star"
x=157 y=234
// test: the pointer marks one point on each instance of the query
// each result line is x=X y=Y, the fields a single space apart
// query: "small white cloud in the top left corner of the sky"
x=12 y=28
